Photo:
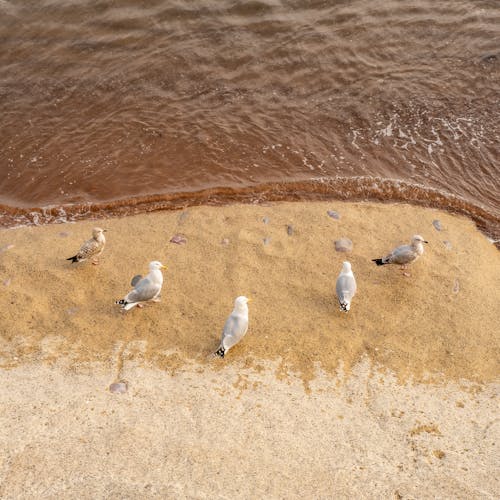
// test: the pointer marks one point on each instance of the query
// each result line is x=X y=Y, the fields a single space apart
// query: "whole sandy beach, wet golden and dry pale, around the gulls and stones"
x=395 y=398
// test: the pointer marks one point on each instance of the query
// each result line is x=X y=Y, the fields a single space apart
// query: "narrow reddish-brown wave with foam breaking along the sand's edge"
x=338 y=188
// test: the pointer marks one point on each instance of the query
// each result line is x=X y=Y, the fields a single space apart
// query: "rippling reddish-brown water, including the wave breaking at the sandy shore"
x=129 y=106
